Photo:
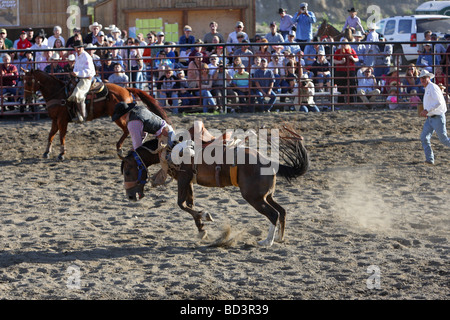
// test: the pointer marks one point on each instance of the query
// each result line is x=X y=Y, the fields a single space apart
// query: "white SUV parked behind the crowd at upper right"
x=411 y=28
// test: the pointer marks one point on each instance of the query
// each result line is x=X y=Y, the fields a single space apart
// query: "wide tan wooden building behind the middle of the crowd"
x=170 y=16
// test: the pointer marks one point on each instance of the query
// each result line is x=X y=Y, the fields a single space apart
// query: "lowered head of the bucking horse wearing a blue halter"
x=134 y=169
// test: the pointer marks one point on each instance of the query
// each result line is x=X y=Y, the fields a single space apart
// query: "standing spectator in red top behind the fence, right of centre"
x=345 y=72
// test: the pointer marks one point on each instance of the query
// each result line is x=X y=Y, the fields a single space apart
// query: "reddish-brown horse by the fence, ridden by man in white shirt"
x=56 y=92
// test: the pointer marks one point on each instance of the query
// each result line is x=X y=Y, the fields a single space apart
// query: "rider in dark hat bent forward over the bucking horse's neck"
x=140 y=122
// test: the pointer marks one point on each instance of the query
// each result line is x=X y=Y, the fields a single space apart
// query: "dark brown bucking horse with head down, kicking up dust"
x=257 y=186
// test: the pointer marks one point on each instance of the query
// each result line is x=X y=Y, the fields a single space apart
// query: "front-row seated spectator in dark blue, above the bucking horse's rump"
x=264 y=81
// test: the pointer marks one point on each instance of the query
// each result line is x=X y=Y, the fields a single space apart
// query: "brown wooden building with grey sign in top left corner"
x=16 y=15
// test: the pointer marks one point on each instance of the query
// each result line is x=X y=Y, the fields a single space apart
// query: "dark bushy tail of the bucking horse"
x=296 y=159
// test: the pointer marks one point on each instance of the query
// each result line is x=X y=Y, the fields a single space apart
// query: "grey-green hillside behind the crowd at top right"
x=334 y=10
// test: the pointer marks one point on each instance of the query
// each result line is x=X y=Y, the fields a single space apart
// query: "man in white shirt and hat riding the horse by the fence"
x=84 y=70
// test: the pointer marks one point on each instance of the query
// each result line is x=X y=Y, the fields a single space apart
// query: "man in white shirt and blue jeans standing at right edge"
x=434 y=109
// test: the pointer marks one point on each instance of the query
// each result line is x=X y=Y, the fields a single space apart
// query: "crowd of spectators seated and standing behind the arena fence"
x=251 y=72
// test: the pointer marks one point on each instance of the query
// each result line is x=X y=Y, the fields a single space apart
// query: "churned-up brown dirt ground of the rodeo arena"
x=368 y=221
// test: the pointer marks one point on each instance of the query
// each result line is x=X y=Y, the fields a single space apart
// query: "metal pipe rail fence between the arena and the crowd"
x=208 y=86
